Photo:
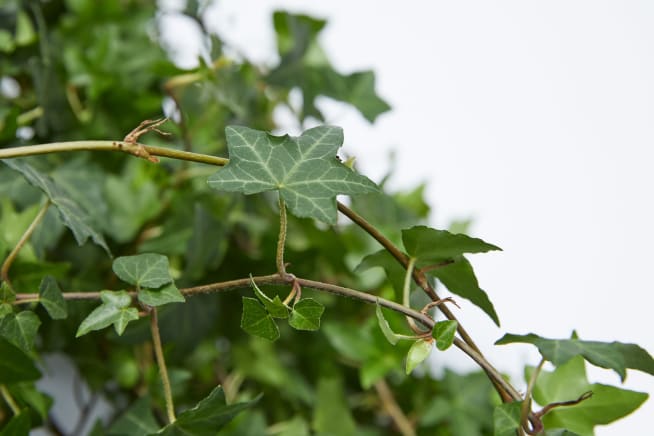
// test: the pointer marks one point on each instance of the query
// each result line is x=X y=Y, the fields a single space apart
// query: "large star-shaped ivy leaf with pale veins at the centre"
x=303 y=169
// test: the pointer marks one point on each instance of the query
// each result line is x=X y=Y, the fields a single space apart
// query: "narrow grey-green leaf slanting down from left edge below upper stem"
x=71 y=213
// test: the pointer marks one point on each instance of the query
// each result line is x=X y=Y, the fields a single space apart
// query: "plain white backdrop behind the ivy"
x=534 y=119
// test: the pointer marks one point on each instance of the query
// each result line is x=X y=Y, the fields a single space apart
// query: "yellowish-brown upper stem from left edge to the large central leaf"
x=126 y=147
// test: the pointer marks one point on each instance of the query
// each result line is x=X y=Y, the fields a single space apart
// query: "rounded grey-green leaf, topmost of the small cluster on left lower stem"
x=143 y=270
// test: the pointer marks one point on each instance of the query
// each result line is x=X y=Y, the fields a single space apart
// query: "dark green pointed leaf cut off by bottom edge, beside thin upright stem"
x=207 y=418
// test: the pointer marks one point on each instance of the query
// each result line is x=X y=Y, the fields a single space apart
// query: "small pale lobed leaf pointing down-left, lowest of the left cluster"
x=115 y=309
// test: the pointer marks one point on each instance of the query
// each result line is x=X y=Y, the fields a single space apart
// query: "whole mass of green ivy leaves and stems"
x=190 y=305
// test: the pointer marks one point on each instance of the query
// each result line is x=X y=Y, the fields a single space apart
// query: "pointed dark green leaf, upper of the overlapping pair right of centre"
x=431 y=246
